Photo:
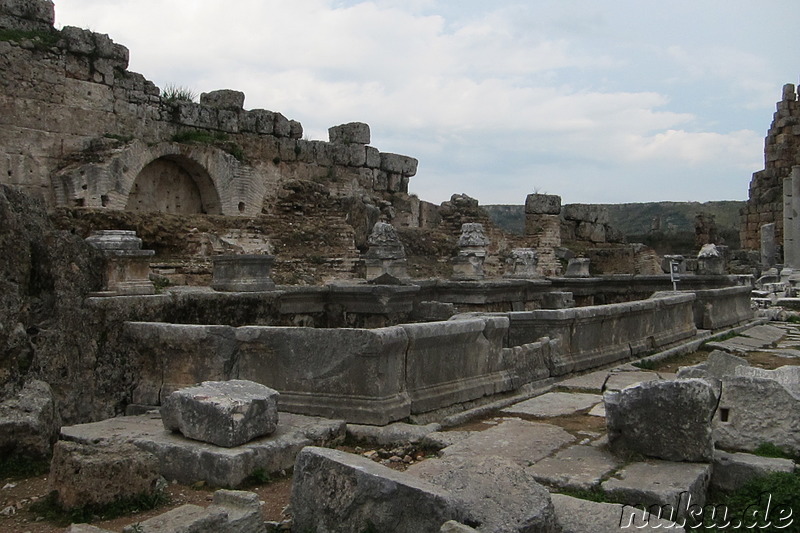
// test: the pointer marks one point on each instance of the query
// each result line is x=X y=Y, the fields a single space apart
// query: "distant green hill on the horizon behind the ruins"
x=638 y=219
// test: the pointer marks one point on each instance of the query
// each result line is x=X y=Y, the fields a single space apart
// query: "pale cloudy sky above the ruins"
x=598 y=101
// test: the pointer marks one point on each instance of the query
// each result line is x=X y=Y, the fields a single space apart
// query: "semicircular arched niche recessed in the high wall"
x=174 y=184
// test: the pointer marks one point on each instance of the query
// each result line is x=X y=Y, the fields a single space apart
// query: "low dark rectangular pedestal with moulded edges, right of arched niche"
x=243 y=273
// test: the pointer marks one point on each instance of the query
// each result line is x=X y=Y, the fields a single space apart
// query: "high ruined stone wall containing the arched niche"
x=77 y=128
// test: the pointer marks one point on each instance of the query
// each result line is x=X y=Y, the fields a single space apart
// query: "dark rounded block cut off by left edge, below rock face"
x=29 y=422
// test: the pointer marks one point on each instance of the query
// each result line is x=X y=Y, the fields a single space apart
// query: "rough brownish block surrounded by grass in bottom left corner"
x=100 y=474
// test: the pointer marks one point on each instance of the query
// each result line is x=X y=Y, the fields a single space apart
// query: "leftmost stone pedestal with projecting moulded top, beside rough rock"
x=127 y=271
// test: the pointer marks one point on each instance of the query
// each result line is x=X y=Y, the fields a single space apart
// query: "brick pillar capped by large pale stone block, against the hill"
x=543 y=230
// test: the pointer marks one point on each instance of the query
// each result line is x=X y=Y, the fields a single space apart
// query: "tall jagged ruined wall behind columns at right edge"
x=781 y=152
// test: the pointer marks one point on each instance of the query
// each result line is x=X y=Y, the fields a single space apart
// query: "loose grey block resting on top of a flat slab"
x=225 y=413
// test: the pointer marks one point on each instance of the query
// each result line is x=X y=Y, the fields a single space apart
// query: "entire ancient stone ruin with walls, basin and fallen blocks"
x=194 y=294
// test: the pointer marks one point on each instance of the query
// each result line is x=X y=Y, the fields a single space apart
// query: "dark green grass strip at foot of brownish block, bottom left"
x=49 y=510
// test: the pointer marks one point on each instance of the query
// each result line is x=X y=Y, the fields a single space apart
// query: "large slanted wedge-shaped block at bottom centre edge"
x=336 y=491
